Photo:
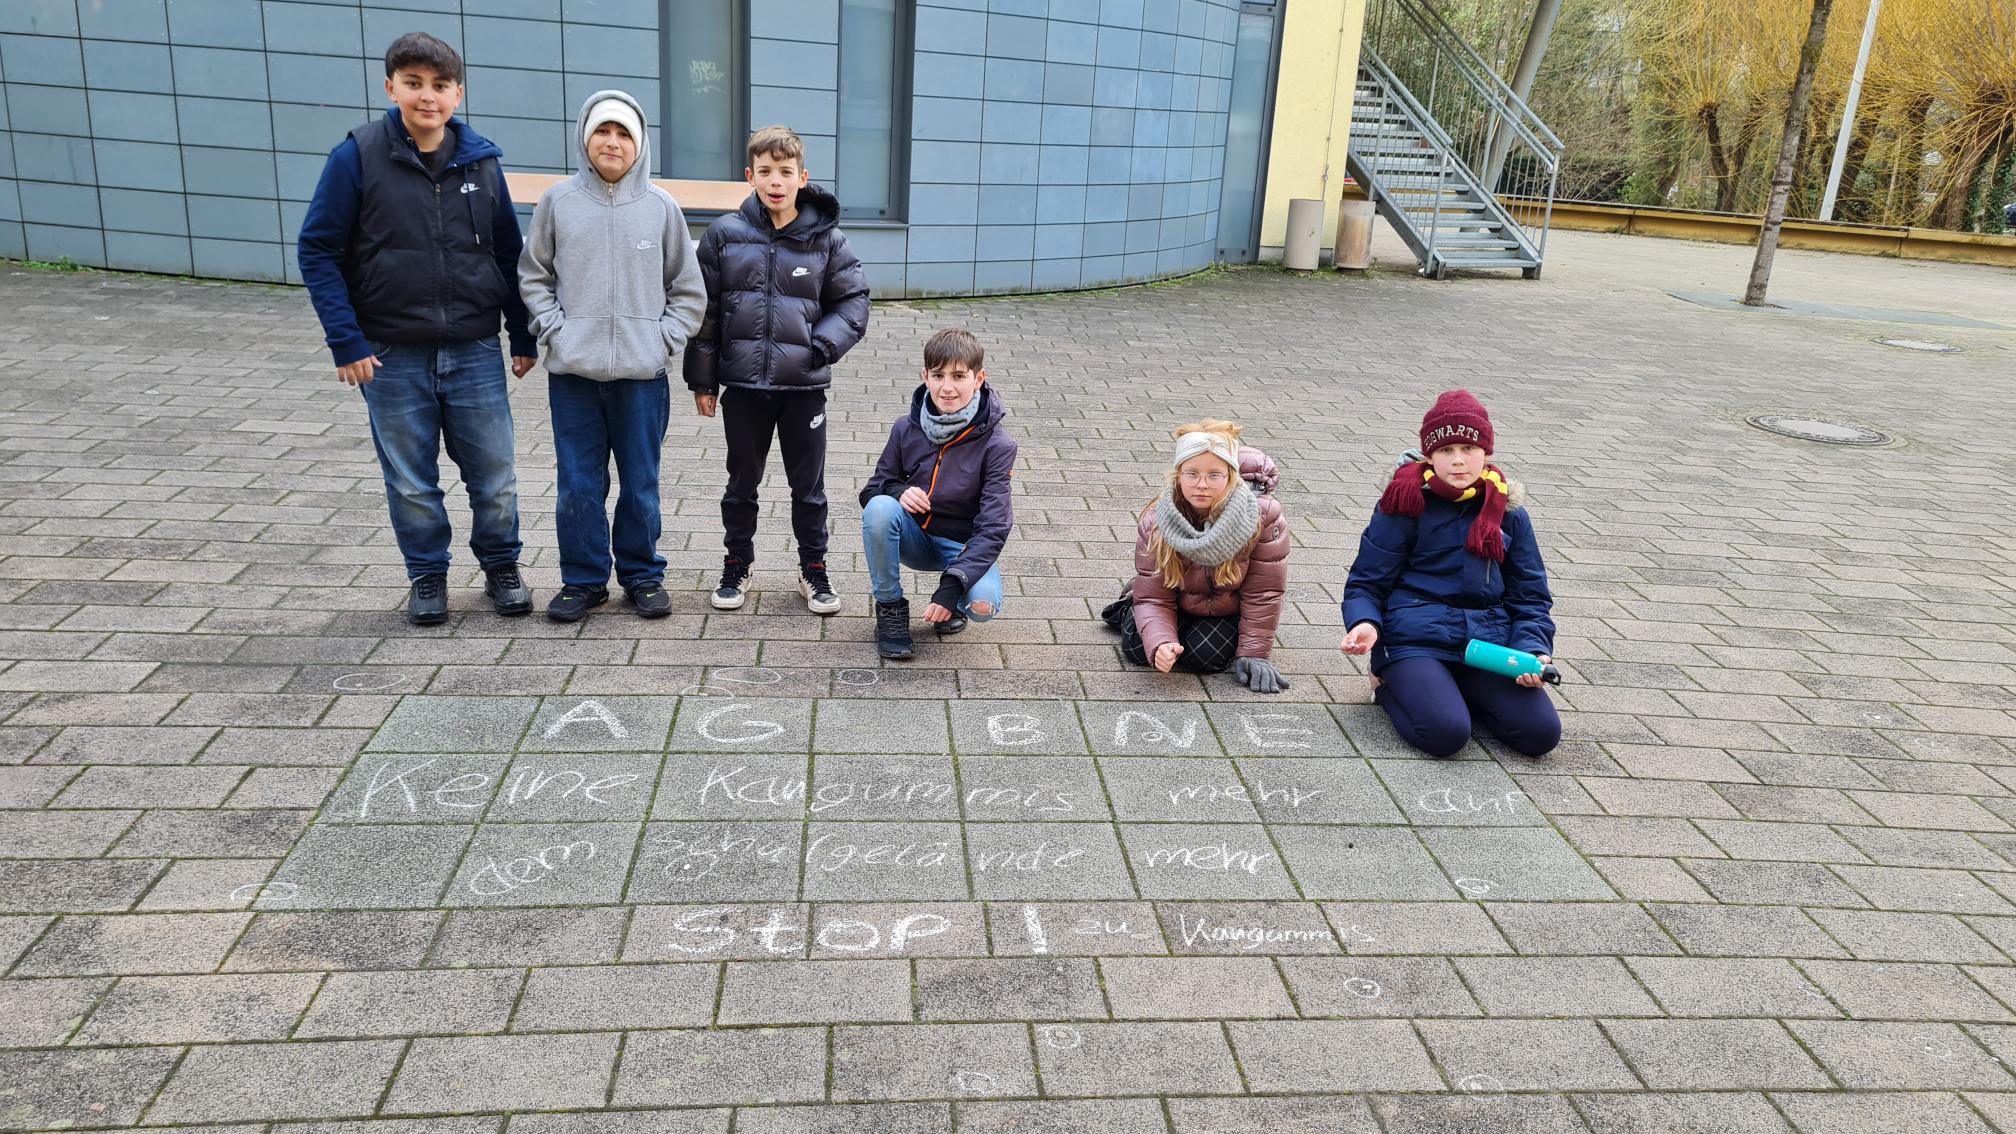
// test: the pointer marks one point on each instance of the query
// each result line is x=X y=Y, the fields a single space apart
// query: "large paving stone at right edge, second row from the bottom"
x=1902 y=1056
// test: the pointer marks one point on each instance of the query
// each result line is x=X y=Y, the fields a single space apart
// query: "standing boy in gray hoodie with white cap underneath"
x=614 y=294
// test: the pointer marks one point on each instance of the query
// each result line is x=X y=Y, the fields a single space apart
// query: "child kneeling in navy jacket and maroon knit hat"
x=1451 y=556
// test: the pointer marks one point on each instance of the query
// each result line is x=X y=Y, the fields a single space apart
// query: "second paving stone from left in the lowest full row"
x=257 y=1083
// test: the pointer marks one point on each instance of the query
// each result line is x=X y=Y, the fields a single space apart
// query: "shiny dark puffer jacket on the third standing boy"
x=783 y=306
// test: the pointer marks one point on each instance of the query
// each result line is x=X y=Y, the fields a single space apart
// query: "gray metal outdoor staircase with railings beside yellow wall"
x=1451 y=156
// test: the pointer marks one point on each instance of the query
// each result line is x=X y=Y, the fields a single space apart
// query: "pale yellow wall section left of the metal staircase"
x=1319 y=64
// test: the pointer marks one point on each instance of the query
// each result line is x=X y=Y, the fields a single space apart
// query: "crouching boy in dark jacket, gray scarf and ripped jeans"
x=940 y=497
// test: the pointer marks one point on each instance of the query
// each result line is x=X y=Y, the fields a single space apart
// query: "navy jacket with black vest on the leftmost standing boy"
x=396 y=257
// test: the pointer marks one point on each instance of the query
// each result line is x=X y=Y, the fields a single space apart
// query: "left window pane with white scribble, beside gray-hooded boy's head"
x=707 y=90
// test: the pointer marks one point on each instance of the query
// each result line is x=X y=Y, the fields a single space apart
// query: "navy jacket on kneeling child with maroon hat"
x=1430 y=596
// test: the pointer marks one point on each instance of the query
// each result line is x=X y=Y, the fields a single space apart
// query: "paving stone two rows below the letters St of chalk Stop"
x=723 y=1068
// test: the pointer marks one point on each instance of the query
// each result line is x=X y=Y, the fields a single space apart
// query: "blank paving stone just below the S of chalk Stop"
x=616 y=998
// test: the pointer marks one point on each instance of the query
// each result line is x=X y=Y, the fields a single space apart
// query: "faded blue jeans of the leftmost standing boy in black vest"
x=428 y=394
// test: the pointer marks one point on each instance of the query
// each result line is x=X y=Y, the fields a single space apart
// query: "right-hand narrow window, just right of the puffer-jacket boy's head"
x=872 y=100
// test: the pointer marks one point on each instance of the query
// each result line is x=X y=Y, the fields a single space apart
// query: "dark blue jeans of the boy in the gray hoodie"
x=592 y=423
